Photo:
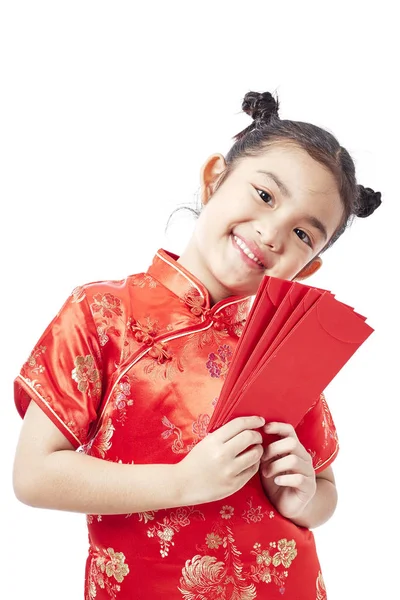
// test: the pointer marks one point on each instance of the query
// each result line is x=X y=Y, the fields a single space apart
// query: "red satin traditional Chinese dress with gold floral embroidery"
x=130 y=372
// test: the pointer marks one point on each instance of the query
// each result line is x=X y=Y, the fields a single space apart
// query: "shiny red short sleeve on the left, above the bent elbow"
x=63 y=374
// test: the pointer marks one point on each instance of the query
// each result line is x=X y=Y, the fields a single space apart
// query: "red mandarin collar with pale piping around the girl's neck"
x=175 y=277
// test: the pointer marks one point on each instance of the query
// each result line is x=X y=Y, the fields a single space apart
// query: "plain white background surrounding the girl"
x=108 y=111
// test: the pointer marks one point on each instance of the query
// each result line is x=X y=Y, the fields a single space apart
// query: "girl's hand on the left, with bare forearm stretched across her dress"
x=223 y=462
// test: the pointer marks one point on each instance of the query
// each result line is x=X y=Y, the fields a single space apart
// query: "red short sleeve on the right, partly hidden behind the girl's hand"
x=317 y=432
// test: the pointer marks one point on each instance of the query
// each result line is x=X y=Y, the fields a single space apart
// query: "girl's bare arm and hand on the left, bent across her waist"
x=48 y=473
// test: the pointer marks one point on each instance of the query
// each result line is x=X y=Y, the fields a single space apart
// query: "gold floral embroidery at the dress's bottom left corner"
x=105 y=567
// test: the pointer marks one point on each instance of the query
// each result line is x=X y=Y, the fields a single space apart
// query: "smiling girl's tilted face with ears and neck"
x=281 y=207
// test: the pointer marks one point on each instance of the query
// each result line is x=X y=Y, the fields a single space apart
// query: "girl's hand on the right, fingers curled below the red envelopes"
x=287 y=472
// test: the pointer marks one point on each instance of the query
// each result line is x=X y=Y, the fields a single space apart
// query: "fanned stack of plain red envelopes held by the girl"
x=296 y=339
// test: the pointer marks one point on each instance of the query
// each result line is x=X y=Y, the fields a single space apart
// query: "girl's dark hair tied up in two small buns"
x=268 y=129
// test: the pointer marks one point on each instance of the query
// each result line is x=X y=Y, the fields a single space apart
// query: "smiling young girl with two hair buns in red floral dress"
x=128 y=373
